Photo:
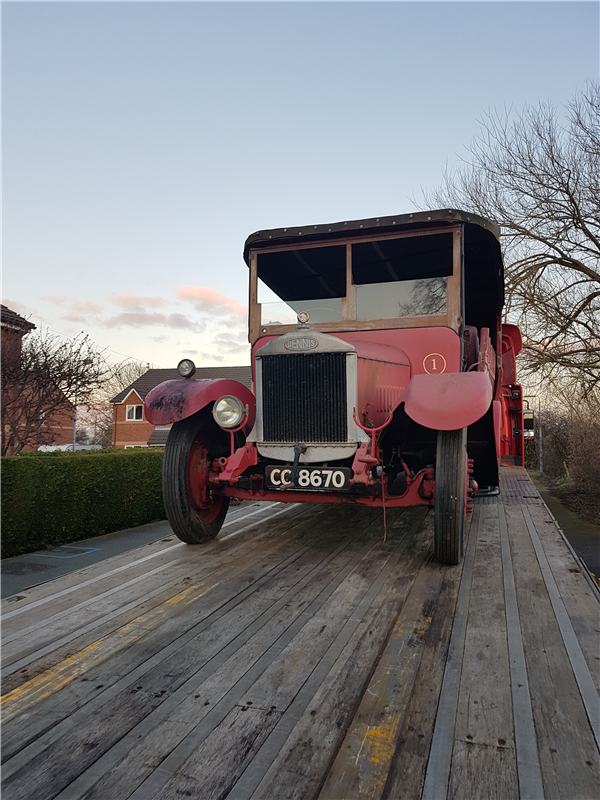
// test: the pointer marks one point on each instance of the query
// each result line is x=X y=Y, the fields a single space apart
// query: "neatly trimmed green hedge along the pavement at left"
x=47 y=499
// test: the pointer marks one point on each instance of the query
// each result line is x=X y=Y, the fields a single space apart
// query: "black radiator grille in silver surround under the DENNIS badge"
x=304 y=398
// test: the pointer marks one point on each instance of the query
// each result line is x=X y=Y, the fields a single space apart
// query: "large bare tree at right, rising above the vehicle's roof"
x=538 y=176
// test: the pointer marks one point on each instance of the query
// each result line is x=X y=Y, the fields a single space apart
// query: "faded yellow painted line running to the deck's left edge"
x=52 y=680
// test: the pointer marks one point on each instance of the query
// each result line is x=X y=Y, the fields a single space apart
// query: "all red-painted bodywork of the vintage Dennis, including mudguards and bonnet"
x=417 y=367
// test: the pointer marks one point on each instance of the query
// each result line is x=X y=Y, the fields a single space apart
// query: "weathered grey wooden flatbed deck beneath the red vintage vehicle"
x=299 y=656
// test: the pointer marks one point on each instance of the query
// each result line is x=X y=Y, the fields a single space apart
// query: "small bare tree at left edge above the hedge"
x=42 y=380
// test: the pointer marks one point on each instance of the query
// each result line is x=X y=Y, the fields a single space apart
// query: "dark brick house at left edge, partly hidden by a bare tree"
x=54 y=427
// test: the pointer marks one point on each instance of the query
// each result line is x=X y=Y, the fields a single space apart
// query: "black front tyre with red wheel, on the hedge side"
x=195 y=514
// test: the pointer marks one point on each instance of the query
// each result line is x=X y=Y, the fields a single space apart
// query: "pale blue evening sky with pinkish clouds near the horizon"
x=142 y=142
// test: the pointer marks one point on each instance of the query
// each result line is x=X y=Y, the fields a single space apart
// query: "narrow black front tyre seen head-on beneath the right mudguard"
x=450 y=495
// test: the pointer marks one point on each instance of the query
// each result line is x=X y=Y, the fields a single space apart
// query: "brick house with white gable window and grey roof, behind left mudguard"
x=130 y=427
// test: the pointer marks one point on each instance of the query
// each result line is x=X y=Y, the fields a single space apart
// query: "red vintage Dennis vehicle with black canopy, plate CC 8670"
x=382 y=375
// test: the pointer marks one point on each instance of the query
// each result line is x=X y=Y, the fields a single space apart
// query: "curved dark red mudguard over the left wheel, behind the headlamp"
x=173 y=401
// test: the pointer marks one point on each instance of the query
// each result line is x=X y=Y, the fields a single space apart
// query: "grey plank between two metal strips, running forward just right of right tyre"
x=484 y=713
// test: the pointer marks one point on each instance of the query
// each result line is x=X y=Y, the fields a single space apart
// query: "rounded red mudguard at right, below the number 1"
x=448 y=401
